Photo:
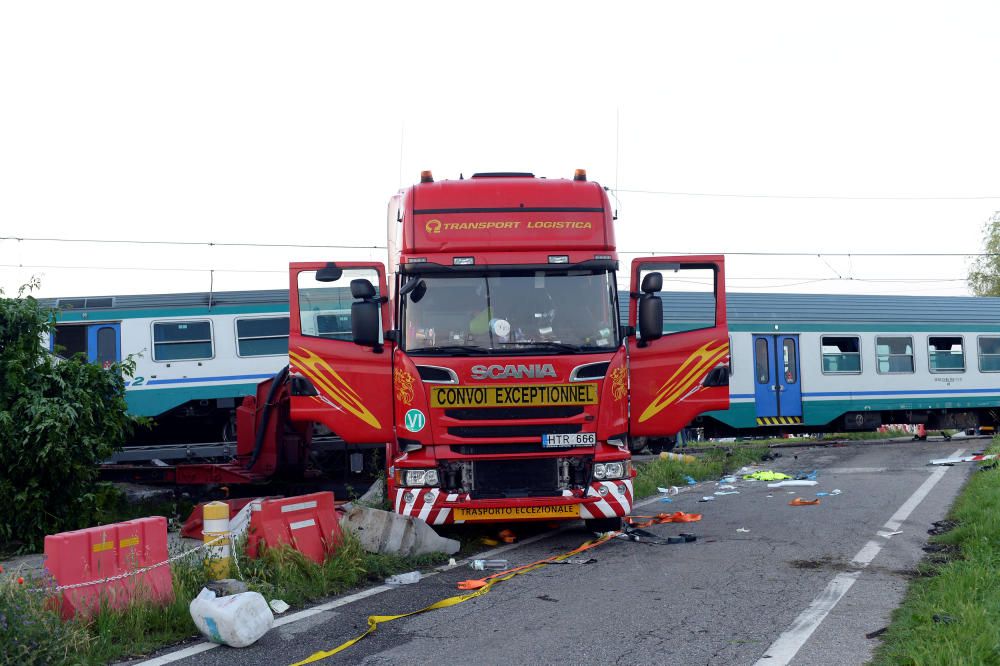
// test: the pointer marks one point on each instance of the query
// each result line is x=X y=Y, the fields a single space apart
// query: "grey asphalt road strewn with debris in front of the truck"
x=802 y=586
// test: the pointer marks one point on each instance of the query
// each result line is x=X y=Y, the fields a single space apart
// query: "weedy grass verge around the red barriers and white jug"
x=32 y=634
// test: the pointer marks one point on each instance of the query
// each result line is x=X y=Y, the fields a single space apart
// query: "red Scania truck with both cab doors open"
x=488 y=355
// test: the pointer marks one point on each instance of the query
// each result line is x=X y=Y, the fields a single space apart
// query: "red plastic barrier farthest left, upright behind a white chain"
x=103 y=552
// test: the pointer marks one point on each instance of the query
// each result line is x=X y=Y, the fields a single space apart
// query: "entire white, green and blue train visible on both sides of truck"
x=800 y=362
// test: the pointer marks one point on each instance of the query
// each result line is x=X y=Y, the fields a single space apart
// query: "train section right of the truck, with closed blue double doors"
x=821 y=363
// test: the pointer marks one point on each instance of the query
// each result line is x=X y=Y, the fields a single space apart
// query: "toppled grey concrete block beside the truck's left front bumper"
x=391 y=533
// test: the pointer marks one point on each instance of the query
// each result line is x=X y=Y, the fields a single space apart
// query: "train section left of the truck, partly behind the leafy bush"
x=196 y=354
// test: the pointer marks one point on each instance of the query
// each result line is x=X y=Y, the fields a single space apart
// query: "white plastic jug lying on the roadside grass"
x=237 y=620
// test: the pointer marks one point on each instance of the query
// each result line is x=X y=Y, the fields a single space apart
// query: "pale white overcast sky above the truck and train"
x=826 y=129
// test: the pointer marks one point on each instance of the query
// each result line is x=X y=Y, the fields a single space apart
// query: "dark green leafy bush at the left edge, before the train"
x=58 y=420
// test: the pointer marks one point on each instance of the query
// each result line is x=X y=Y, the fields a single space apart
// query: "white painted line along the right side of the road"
x=787 y=645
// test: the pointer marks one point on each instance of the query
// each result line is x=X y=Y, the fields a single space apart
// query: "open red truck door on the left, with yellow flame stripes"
x=347 y=386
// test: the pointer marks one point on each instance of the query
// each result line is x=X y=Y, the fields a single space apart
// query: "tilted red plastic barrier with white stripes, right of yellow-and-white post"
x=308 y=523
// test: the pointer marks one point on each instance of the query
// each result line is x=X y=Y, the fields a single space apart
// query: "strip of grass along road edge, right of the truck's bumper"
x=711 y=465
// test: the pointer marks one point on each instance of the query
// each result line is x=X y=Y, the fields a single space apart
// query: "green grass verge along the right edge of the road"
x=951 y=613
